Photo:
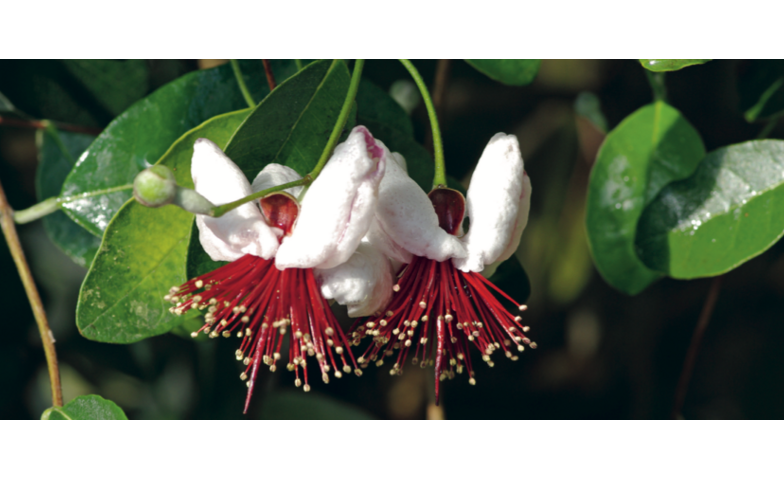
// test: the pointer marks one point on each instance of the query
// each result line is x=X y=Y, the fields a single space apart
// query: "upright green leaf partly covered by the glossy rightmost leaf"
x=651 y=148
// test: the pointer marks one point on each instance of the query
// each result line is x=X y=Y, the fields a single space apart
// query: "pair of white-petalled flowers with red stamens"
x=366 y=236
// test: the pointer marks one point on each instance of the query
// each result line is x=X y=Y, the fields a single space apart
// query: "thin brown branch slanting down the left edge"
x=9 y=230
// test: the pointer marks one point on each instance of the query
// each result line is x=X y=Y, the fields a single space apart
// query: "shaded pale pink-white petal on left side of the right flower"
x=406 y=216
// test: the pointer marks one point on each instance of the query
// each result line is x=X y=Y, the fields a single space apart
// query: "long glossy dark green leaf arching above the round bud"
x=137 y=138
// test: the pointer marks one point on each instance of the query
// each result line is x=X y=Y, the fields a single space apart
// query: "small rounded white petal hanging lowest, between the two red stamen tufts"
x=363 y=283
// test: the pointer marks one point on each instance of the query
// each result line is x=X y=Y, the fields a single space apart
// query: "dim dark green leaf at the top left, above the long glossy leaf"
x=114 y=84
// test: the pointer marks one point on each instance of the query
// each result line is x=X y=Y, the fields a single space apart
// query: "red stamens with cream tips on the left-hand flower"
x=251 y=298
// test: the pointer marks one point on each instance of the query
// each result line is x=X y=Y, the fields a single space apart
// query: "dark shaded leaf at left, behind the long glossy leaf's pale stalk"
x=55 y=161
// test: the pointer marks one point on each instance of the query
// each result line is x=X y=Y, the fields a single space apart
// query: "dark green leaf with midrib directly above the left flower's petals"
x=291 y=127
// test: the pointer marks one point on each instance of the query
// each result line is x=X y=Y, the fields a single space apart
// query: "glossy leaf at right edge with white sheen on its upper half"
x=726 y=213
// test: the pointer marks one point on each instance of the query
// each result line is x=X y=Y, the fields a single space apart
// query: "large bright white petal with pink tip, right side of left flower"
x=338 y=208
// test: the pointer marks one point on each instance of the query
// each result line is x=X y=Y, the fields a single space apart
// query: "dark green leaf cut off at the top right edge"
x=761 y=89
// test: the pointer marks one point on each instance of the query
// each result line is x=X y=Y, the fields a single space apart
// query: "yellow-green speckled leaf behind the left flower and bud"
x=143 y=254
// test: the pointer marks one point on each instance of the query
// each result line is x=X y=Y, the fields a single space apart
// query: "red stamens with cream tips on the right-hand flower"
x=439 y=307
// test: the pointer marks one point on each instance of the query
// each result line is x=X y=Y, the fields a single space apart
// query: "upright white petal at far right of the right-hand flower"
x=496 y=204
